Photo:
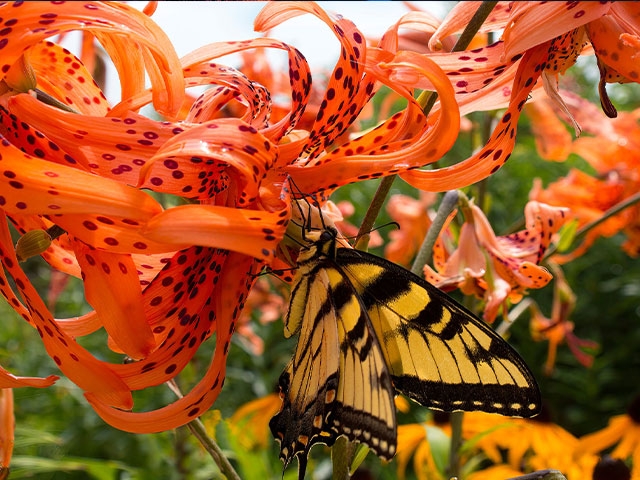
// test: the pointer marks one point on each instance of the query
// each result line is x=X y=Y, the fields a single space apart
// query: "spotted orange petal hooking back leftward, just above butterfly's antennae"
x=403 y=142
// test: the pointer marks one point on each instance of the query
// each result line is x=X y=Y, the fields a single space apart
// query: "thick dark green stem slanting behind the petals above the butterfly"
x=427 y=99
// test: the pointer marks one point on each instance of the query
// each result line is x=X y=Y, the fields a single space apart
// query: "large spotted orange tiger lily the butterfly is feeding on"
x=162 y=280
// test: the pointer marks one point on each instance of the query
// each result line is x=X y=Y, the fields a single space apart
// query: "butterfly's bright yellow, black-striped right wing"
x=437 y=352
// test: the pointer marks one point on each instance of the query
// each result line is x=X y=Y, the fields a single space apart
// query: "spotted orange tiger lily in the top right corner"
x=540 y=41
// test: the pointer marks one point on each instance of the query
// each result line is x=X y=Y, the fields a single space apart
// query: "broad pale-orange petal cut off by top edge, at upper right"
x=534 y=23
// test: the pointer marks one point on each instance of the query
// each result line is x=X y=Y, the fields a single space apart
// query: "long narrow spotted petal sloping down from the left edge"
x=76 y=363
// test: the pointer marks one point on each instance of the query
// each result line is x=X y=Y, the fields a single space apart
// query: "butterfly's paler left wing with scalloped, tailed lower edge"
x=337 y=382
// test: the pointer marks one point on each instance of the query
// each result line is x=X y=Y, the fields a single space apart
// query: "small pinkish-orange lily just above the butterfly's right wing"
x=496 y=268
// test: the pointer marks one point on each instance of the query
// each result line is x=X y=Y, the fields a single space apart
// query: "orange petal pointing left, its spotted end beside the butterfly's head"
x=252 y=232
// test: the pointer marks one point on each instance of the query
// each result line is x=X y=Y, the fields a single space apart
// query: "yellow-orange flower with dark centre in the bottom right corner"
x=623 y=430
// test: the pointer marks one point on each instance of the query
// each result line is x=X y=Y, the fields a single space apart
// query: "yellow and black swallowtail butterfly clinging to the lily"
x=367 y=329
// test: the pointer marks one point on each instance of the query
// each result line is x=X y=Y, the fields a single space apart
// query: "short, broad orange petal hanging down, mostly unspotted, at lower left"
x=112 y=288
